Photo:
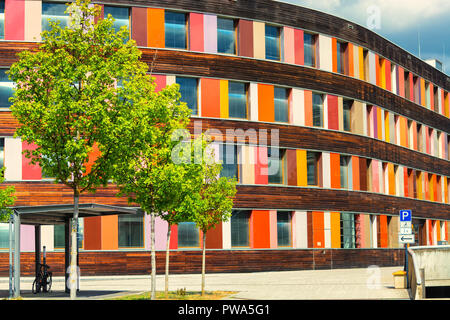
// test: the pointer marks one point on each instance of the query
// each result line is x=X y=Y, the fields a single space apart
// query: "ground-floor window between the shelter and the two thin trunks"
x=131 y=230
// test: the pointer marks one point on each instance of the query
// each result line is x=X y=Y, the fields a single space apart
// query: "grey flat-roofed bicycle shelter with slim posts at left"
x=50 y=215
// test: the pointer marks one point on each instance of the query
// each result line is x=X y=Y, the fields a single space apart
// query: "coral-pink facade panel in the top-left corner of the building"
x=15 y=20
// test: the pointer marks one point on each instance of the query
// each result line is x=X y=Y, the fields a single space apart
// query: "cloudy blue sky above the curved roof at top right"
x=403 y=22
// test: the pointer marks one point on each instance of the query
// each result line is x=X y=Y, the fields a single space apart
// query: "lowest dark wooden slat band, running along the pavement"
x=217 y=261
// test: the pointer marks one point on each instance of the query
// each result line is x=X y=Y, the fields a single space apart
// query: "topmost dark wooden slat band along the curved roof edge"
x=307 y=19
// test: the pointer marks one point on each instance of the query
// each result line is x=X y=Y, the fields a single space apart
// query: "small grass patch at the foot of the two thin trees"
x=180 y=295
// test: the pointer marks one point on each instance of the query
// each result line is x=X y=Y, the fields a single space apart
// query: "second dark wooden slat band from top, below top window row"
x=238 y=68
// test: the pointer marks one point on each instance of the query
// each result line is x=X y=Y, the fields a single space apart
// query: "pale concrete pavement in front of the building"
x=368 y=283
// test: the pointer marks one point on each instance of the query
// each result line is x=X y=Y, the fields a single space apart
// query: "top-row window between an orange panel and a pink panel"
x=175 y=30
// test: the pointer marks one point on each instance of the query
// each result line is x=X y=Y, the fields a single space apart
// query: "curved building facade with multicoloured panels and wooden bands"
x=358 y=127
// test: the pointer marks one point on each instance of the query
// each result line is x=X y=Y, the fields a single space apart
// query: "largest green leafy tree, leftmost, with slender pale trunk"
x=69 y=105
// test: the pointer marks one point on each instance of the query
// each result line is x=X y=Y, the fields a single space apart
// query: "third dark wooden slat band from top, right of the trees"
x=316 y=139
